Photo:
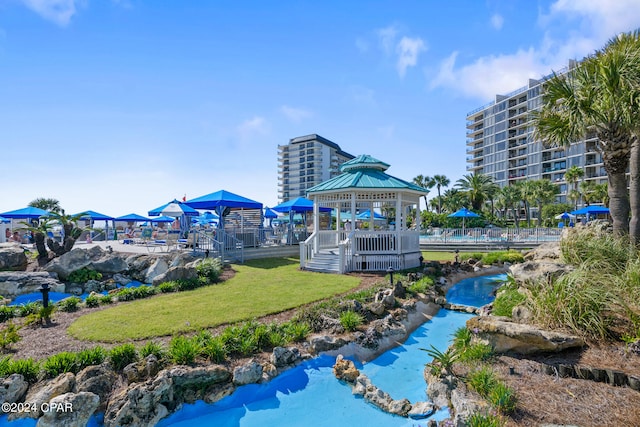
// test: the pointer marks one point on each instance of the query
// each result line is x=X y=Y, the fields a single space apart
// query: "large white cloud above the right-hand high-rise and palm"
x=593 y=23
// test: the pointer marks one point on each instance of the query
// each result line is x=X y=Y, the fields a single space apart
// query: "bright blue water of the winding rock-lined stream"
x=309 y=394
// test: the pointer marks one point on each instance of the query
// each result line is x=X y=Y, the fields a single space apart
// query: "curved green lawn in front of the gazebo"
x=260 y=287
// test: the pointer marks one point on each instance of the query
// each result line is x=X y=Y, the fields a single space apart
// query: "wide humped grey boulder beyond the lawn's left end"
x=94 y=258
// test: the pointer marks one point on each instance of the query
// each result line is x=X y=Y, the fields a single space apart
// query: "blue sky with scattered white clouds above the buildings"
x=120 y=106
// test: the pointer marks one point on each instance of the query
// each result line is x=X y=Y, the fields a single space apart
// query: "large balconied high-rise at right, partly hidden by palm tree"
x=500 y=143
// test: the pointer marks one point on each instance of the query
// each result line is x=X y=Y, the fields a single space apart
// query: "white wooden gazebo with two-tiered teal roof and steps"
x=363 y=185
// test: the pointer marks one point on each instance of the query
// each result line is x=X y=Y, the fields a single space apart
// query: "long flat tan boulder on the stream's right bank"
x=505 y=335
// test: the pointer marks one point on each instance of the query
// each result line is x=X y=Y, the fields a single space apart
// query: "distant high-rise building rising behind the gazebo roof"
x=307 y=161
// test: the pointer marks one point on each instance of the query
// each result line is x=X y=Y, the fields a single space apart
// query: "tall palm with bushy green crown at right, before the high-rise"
x=599 y=95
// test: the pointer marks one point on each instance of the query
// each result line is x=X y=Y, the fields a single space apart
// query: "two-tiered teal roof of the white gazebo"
x=365 y=172
